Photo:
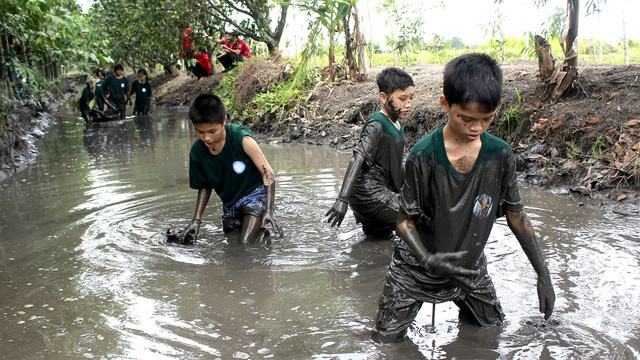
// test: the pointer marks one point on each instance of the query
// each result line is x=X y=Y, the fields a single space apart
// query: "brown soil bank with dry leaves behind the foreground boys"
x=586 y=144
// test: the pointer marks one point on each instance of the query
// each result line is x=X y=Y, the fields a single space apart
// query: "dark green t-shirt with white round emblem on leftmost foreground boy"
x=231 y=173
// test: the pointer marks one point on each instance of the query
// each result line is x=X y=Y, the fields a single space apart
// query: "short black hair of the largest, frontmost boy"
x=473 y=78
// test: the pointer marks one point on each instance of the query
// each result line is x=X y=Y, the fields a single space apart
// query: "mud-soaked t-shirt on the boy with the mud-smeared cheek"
x=382 y=147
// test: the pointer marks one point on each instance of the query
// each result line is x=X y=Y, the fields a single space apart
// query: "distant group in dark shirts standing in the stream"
x=106 y=97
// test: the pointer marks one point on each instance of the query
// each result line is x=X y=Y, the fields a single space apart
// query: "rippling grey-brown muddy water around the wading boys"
x=84 y=271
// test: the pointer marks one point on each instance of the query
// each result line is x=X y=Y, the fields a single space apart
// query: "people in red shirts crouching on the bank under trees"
x=233 y=49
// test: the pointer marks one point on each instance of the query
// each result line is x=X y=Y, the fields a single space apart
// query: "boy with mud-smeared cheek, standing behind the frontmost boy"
x=374 y=175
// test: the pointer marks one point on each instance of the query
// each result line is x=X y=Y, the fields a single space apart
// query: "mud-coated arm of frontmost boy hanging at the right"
x=523 y=230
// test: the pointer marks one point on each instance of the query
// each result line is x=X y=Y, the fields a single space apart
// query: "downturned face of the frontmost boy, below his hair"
x=468 y=121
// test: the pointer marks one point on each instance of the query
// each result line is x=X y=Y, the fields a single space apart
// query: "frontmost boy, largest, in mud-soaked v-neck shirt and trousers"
x=458 y=180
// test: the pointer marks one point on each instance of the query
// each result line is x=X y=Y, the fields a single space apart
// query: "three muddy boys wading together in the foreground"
x=442 y=203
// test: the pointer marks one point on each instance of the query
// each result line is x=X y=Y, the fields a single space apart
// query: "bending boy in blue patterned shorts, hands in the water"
x=227 y=159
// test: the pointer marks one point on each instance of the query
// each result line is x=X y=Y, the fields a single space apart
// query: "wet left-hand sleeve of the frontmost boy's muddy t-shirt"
x=413 y=193
